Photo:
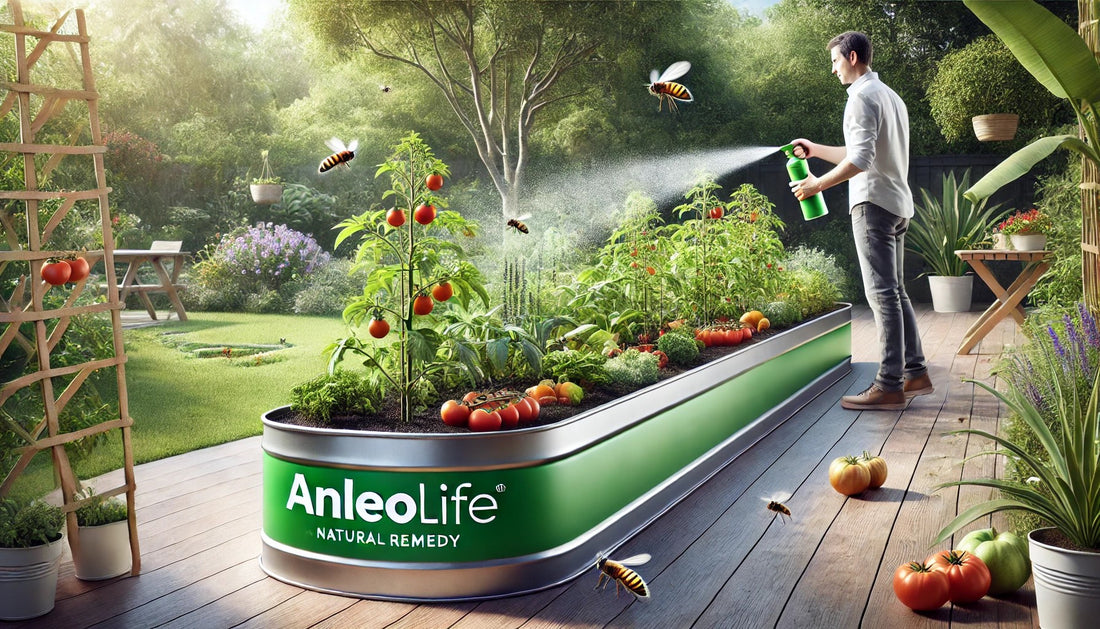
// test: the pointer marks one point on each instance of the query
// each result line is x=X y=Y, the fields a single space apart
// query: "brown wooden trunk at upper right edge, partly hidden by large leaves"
x=1091 y=181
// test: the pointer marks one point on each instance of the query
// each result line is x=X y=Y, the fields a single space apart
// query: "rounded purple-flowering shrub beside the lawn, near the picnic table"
x=269 y=256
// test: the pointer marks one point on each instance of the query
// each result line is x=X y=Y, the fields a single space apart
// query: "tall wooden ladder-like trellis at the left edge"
x=37 y=105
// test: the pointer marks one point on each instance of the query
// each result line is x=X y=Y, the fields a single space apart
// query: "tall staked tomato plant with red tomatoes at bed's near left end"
x=408 y=261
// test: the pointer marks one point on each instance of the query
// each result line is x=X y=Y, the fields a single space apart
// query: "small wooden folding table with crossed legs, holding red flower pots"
x=1007 y=302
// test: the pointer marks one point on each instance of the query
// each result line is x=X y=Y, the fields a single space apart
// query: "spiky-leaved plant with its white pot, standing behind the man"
x=940 y=228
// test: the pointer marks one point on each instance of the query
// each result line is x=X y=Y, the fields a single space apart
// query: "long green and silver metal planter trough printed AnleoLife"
x=467 y=516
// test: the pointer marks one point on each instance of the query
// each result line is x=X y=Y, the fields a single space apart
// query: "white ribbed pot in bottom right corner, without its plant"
x=1068 y=586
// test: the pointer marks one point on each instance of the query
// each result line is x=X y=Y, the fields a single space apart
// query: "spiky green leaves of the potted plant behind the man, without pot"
x=953 y=223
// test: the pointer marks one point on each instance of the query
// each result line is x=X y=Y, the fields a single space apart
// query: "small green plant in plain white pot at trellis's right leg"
x=104 y=551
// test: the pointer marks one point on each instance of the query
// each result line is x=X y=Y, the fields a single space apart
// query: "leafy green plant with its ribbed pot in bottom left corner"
x=30 y=555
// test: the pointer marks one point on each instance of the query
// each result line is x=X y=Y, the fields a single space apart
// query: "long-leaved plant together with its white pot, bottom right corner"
x=1062 y=415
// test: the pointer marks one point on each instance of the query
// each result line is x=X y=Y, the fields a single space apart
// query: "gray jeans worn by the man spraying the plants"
x=881 y=242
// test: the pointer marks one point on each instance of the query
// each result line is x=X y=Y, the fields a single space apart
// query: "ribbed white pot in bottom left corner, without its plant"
x=29 y=581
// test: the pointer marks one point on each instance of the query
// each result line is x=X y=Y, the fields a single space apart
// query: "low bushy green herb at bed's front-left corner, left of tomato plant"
x=338 y=393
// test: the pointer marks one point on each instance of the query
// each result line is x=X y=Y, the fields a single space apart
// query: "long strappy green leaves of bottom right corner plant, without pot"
x=1053 y=390
